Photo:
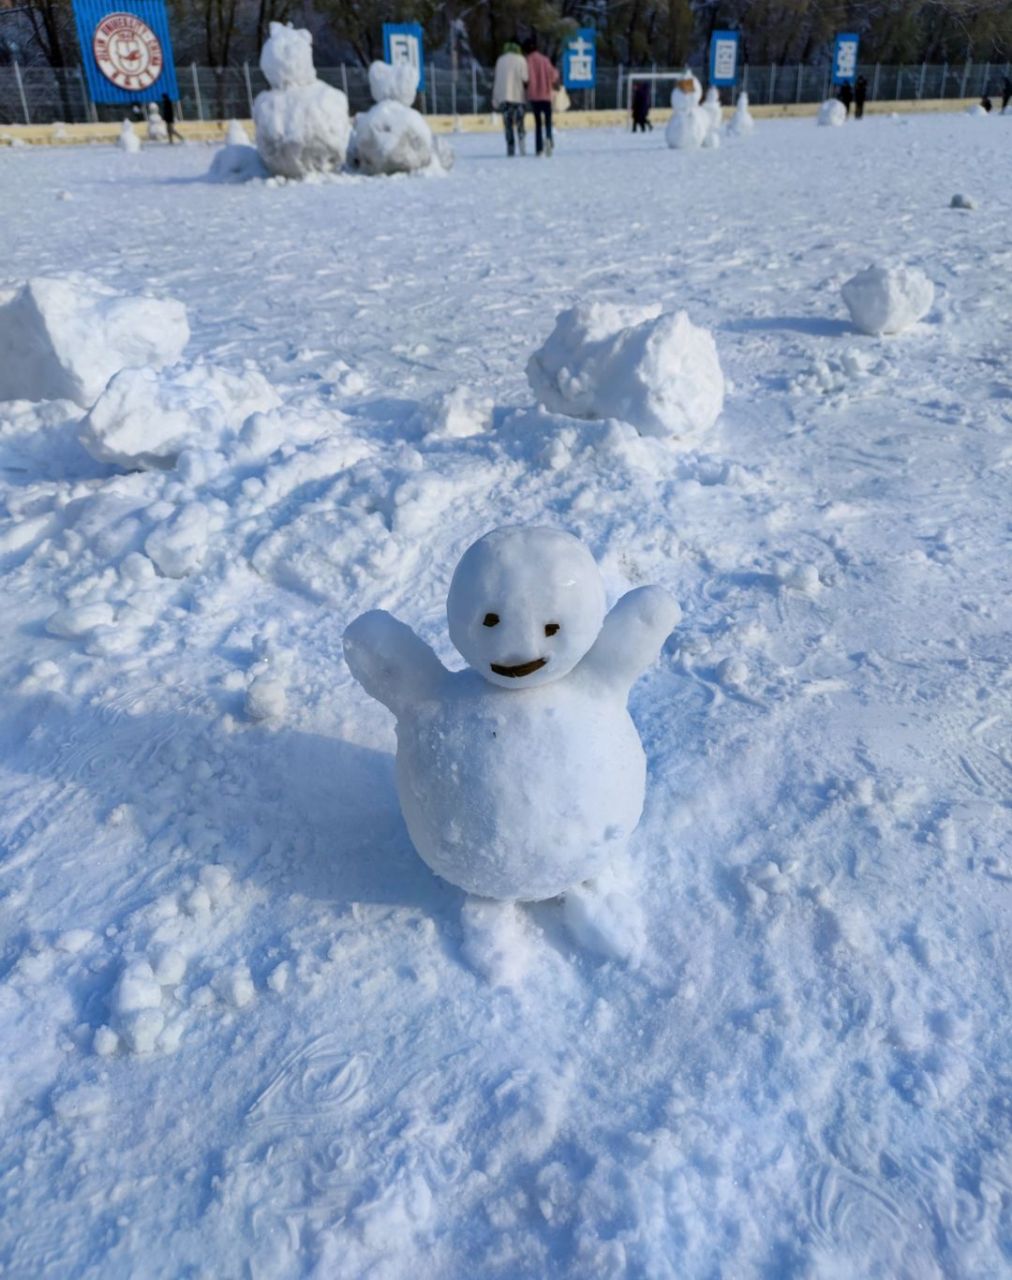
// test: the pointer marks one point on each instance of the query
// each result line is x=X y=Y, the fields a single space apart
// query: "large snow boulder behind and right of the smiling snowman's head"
x=661 y=373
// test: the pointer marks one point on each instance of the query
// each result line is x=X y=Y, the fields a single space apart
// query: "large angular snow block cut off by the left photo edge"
x=63 y=339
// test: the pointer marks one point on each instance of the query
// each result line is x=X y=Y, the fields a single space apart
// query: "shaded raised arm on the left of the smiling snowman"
x=391 y=662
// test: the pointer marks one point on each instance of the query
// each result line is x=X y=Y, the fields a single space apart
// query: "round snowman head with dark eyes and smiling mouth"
x=525 y=606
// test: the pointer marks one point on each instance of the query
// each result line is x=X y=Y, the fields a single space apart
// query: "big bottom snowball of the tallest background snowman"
x=303 y=130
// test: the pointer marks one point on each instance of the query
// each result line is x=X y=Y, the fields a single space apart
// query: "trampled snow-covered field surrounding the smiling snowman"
x=244 y=1031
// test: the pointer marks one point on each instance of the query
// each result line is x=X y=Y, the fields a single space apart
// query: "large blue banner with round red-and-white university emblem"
x=126 y=51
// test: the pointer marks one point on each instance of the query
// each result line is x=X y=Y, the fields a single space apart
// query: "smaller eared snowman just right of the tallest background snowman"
x=392 y=136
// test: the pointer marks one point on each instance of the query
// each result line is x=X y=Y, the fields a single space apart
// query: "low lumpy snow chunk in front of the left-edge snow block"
x=145 y=419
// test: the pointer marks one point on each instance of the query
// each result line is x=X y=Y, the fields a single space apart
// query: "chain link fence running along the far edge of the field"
x=44 y=95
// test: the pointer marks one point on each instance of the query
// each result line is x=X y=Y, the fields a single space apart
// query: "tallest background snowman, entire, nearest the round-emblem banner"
x=301 y=124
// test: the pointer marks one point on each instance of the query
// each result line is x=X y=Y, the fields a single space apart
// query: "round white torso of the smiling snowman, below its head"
x=520 y=794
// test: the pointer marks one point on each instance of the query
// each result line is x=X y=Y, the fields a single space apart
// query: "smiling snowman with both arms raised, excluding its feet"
x=521 y=776
